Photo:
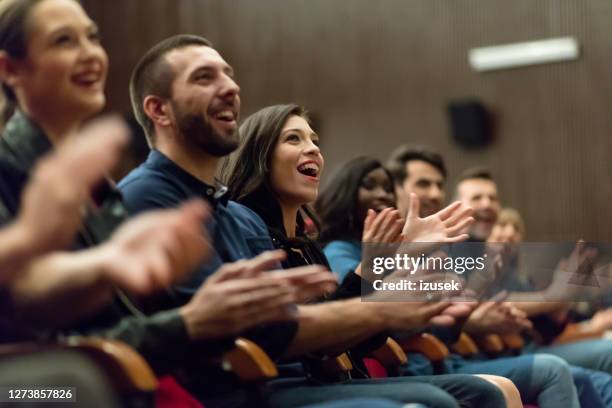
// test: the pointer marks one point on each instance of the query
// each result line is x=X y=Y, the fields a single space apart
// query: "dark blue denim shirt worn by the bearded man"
x=236 y=233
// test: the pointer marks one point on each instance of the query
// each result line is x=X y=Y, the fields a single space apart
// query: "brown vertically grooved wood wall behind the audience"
x=379 y=73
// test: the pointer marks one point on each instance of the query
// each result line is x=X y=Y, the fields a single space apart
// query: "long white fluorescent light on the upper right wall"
x=523 y=54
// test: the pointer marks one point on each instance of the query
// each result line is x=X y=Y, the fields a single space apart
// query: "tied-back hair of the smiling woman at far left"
x=13 y=40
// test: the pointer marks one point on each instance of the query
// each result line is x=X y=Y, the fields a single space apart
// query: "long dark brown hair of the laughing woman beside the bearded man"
x=248 y=170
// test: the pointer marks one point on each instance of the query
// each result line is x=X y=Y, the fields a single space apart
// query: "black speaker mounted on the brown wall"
x=470 y=123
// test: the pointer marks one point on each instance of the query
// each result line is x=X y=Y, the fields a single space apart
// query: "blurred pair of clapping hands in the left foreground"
x=144 y=254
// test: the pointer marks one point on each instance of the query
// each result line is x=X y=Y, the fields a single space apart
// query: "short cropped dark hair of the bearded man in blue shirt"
x=154 y=76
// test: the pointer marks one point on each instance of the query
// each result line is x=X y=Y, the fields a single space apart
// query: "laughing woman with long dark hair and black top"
x=276 y=172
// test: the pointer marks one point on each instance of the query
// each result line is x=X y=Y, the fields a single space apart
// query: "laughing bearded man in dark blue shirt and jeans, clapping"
x=184 y=95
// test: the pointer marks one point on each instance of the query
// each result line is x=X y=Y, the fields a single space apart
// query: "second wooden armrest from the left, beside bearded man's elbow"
x=249 y=362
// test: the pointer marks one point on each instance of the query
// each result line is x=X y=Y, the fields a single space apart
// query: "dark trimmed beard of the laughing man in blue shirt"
x=196 y=131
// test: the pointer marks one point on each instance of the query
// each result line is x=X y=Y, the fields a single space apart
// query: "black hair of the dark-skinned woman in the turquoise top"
x=337 y=206
